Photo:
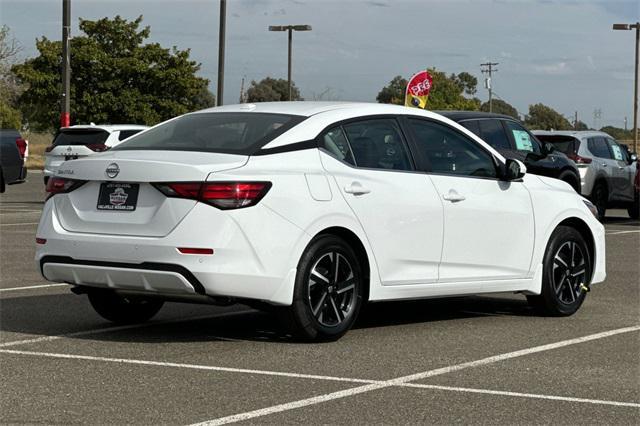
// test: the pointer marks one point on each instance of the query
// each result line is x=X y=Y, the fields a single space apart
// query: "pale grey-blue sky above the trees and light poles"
x=562 y=53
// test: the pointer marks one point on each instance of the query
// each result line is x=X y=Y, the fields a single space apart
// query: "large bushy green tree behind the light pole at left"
x=116 y=77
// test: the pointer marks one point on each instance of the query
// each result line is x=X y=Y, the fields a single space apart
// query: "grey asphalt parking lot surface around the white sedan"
x=465 y=360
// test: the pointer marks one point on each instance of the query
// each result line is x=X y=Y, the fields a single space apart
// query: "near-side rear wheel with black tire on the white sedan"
x=326 y=301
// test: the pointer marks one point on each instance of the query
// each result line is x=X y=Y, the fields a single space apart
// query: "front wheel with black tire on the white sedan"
x=566 y=272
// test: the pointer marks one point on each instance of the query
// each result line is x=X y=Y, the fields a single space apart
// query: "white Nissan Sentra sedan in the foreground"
x=314 y=209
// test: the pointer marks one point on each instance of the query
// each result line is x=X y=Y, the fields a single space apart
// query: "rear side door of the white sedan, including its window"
x=398 y=207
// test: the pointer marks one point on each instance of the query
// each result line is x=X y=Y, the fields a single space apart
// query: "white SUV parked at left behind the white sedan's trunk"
x=82 y=140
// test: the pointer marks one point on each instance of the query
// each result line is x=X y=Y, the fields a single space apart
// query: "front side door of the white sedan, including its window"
x=488 y=223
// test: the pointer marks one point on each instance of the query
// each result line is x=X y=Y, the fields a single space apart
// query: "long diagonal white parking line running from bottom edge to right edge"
x=412 y=377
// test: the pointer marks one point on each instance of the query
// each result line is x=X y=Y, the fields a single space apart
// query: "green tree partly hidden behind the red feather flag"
x=447 y=91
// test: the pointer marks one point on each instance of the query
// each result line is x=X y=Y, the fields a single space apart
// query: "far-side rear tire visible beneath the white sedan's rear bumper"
x=123 y=310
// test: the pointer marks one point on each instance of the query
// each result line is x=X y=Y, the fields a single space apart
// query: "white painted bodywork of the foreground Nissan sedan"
x=418 y=243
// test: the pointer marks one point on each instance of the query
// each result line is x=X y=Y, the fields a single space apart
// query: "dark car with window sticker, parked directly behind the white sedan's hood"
x=509 y=137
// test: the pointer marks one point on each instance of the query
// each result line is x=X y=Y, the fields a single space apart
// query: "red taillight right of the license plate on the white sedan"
x=223 y=195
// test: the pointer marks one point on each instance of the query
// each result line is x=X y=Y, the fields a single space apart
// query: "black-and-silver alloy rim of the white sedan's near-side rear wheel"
x=332 y=289
